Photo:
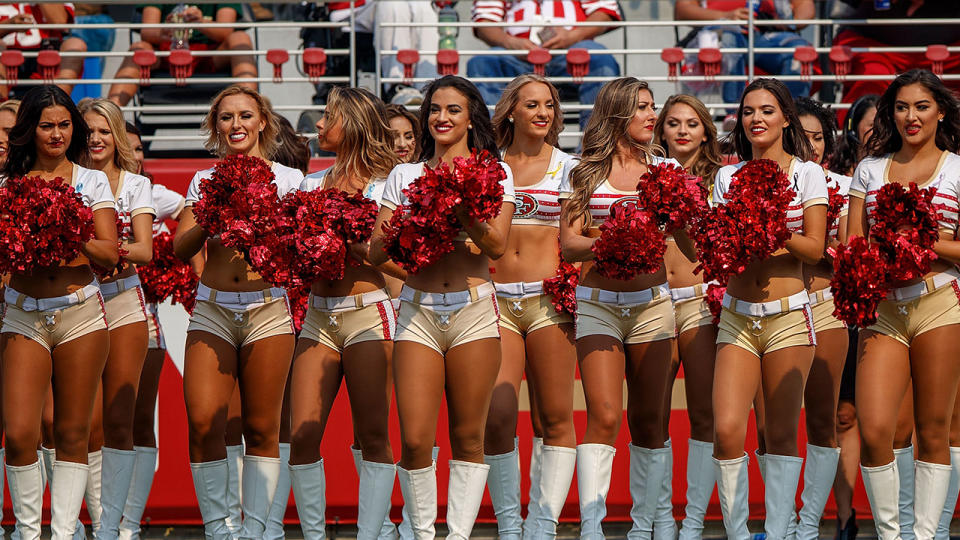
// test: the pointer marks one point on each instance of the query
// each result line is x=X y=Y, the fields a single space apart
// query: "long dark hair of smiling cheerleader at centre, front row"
x=479 y=138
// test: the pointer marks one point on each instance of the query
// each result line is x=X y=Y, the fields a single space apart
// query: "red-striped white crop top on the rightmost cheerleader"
x=873 y=172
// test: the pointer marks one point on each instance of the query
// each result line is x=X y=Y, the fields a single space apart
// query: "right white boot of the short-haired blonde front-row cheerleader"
x=258 y=487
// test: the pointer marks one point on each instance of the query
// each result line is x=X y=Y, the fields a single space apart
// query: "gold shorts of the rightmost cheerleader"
x=934 y=305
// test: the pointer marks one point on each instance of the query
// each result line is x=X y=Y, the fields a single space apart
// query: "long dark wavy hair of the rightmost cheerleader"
x=886 y=139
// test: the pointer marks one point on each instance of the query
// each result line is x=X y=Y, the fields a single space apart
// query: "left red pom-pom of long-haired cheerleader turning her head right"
x=630 y=243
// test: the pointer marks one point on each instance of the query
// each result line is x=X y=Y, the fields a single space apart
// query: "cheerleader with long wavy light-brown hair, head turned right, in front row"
x=622 y=326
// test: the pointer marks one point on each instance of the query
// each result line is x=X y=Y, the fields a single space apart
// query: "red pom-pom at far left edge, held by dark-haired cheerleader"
x=41 y=224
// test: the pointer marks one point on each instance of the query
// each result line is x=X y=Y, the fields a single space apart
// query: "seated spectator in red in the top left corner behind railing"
x=36 y=39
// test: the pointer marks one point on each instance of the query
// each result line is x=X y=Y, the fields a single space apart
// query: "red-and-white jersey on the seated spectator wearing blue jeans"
x=520 y=15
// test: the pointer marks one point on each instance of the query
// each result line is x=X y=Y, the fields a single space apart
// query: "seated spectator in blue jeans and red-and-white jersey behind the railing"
x=529 y=24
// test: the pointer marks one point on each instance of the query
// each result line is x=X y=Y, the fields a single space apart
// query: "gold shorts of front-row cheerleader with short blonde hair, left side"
x=241 y=318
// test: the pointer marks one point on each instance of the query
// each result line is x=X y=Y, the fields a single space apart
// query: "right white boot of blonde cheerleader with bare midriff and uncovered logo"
x=558 y=463
